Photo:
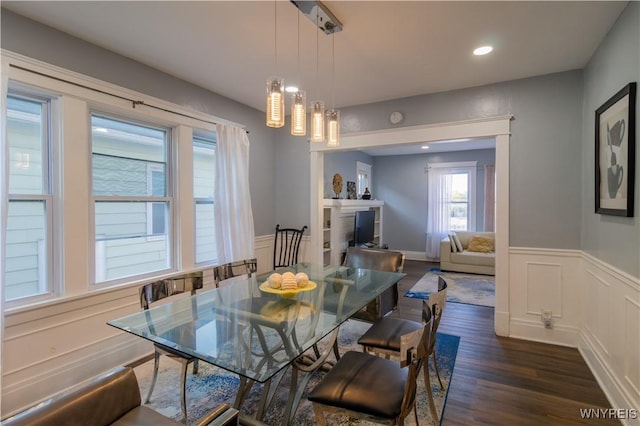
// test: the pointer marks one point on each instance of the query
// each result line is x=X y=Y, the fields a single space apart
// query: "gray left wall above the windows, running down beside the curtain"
x=32 y=39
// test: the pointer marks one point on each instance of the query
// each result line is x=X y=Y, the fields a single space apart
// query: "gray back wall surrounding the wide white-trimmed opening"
x=545 y=149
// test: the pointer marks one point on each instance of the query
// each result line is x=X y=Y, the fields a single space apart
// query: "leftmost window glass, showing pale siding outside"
x=28 y=238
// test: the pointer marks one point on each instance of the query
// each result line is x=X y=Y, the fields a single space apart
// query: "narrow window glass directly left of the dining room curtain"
x=204 y=162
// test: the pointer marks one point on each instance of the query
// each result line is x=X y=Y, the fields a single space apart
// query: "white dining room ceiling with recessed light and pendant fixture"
x=386 y=50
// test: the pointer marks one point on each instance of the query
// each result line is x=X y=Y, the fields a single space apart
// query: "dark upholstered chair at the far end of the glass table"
x=380 y=260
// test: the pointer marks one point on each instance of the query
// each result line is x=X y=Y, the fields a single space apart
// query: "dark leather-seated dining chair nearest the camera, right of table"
x=365 y=386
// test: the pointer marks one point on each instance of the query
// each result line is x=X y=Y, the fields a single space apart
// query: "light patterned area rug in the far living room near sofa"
x=472 y=289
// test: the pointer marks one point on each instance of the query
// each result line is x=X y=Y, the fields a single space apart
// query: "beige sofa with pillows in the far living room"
x=479 y=258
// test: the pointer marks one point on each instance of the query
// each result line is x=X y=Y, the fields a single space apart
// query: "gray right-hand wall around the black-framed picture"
x=615 y=240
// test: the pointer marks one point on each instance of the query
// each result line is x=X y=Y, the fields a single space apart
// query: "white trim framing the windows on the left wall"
x=75 y=104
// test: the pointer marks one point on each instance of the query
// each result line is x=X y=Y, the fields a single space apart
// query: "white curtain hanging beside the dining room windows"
x=235 y=234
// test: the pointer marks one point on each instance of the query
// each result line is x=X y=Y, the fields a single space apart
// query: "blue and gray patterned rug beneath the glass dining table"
x=212 y=386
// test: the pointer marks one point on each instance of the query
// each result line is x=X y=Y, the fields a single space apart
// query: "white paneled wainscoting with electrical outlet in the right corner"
x=596 y=308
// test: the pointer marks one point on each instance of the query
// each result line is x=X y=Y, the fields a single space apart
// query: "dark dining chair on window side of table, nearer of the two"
x=154 y=292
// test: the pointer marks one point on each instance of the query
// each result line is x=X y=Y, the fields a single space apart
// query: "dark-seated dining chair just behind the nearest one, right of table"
x=383 y=337
